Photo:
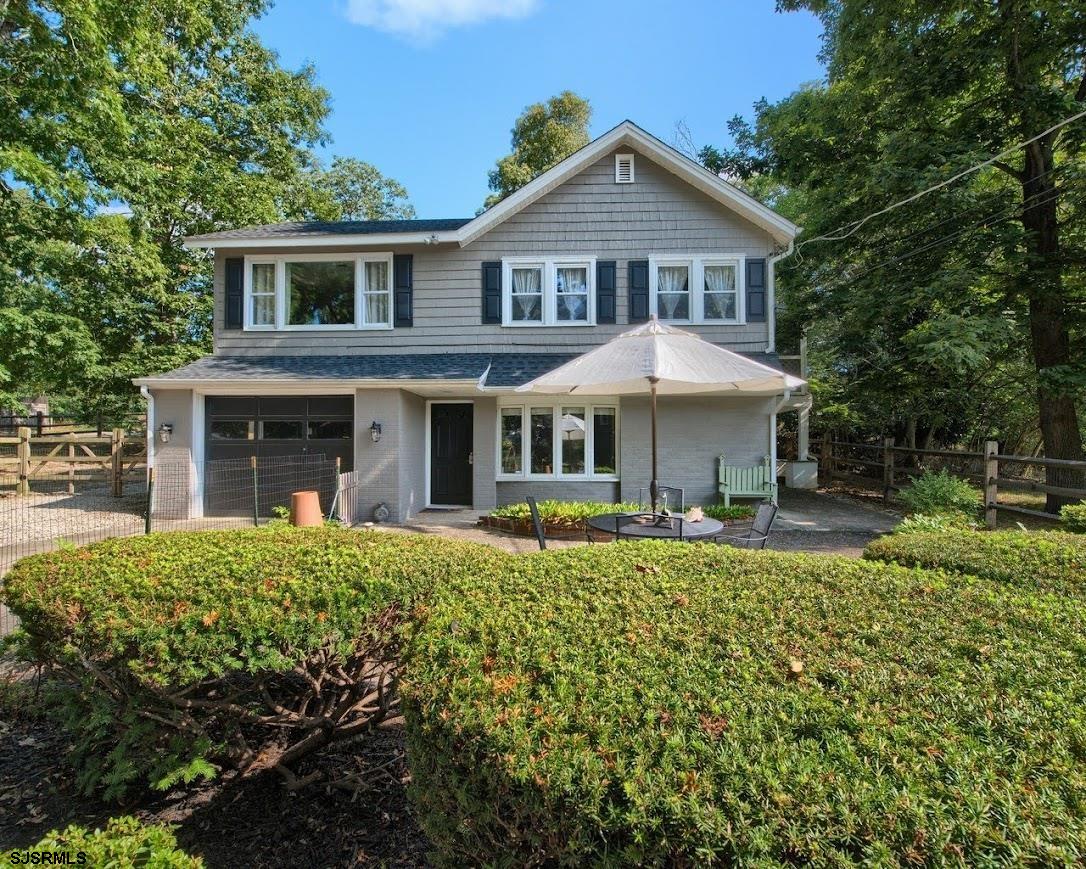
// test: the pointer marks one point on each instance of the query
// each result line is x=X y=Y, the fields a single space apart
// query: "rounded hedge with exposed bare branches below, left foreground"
x=186 y=652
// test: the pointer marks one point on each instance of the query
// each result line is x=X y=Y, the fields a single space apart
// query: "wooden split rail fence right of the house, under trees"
x=887 y=467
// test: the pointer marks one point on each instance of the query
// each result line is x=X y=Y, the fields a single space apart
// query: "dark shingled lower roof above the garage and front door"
x=506 y=370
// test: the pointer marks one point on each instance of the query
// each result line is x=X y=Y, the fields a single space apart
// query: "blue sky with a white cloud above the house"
x=427 y=91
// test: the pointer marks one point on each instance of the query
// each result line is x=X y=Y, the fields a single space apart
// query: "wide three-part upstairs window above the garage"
x=319 y=292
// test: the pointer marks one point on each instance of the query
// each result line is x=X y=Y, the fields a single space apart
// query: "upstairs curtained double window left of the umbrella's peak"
x=549 y=292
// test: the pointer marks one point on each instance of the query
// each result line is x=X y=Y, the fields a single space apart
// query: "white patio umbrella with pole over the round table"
x=662 y=360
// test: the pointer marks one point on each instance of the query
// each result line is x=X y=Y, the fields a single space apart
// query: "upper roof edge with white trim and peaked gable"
x=465 y=231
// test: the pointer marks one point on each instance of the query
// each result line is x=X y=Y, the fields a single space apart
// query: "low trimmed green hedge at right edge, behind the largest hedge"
x=1049 y=561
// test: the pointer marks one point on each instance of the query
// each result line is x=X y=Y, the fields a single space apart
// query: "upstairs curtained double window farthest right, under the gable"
x=698 y=289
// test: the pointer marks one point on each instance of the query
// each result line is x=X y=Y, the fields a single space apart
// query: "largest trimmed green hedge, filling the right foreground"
x=662 y=704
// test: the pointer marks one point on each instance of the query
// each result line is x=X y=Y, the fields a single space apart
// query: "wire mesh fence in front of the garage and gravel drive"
x=65 y=509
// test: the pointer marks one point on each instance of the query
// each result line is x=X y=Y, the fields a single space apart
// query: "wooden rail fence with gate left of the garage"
x=113 y=457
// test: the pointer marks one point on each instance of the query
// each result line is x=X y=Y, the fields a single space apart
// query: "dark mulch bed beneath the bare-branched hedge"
x=251 y=822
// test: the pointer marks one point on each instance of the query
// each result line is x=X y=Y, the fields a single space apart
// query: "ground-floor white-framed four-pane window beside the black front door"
x=550 y=440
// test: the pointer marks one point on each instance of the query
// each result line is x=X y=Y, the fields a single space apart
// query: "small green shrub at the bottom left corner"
x=124 y=842
